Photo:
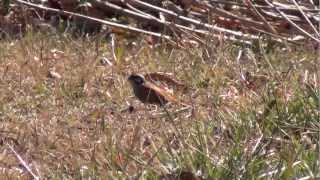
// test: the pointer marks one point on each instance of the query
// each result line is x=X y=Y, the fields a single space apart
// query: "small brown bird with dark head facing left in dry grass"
x=148 y=92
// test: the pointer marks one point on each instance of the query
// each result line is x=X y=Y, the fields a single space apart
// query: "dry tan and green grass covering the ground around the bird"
x=253 y=117
